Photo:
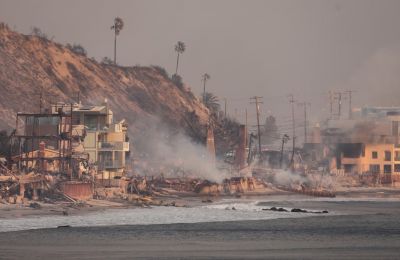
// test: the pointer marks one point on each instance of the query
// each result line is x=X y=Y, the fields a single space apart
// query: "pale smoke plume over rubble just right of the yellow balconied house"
x=168 y=152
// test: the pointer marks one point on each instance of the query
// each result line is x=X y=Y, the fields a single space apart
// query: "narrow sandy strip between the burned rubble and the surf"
x=10 y=211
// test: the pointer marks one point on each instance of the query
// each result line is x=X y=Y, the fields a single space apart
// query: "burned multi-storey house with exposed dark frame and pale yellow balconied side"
x=69 y=134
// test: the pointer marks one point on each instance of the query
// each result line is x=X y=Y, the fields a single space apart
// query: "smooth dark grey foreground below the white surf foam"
x=371 y=236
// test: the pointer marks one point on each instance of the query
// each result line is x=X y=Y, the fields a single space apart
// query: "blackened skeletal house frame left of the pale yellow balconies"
x=45 y=142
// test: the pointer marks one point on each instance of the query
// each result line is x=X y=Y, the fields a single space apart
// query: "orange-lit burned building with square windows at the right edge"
x=367 y=145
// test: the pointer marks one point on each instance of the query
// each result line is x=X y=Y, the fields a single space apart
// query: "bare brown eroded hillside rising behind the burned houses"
x=144 y=96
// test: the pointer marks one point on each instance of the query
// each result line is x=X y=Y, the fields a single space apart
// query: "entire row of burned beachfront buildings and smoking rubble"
x=74 y=152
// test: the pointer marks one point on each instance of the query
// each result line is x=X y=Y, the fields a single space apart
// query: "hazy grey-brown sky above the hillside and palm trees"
x=264 y=48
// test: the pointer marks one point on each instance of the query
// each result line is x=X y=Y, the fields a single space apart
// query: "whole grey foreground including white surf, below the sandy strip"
x=356 y=227
